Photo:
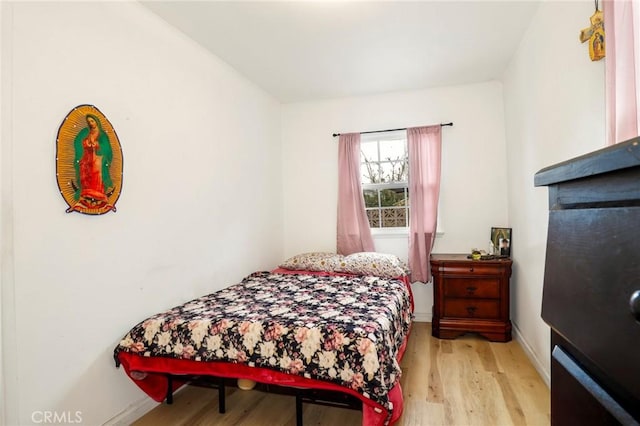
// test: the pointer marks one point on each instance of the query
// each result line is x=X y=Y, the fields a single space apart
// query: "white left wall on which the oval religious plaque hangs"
x=200 y=205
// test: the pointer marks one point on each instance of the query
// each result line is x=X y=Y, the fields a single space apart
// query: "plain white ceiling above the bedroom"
x=310 y=50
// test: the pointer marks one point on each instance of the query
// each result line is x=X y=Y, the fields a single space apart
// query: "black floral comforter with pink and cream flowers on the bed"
x=342 y=329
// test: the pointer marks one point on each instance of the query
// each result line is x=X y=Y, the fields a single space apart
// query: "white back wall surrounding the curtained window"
x=474 y=187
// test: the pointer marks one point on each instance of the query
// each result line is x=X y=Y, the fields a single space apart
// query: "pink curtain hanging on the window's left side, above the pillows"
x=354 y=234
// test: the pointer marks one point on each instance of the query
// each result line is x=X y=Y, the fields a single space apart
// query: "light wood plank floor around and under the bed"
x=466 y=381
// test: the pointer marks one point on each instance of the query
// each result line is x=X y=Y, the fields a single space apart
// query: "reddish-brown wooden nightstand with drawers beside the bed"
x=470 y=296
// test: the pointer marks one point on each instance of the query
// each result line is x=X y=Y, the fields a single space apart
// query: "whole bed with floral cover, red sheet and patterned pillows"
x=319 y=321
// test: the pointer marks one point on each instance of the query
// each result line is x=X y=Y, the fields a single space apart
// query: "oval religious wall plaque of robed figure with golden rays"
x=88 y=162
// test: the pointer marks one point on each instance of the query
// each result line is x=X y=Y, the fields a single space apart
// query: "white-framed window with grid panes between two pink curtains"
x=384 y=168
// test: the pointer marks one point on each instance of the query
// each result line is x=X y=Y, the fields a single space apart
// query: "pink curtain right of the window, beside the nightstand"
x=425 y=147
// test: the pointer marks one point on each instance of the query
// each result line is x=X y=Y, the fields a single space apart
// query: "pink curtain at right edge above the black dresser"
x=622 y=69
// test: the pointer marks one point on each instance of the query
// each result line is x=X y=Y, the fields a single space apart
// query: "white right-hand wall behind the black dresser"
x=554 y=110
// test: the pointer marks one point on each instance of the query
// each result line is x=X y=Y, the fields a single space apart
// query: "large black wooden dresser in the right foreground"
x=591 y=297
